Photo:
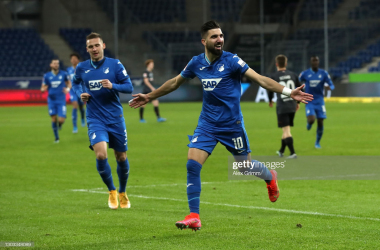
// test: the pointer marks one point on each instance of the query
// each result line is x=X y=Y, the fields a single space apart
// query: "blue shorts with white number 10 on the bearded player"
x=235 y=142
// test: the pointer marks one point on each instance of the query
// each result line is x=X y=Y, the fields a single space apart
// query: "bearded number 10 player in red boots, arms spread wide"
x=221 y=120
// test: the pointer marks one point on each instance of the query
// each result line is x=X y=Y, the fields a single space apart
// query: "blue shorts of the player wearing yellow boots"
x=114 y=134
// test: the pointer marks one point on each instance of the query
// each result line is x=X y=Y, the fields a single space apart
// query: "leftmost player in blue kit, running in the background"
x=58 y=84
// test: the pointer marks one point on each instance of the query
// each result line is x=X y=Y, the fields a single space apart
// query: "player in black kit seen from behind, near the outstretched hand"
x=286 y=107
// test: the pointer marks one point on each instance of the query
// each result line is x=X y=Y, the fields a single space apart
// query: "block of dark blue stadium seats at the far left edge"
x=24 y=53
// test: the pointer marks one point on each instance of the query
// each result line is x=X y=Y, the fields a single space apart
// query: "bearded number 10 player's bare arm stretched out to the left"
x=169 y=86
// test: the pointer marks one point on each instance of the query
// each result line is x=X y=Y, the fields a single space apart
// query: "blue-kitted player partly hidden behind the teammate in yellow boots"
x=75 y=100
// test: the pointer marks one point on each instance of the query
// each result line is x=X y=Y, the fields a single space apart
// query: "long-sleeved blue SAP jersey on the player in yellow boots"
x=104 y=104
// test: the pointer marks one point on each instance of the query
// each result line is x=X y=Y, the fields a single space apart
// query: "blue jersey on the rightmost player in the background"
x=314 y=84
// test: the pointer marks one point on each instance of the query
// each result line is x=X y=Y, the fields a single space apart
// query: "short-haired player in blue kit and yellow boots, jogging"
x=98 y=82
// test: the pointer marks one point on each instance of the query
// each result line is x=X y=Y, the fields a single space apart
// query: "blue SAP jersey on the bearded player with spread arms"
x=221 y=82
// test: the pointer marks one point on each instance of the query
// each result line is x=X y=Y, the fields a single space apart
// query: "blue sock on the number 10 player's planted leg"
x=193 y=185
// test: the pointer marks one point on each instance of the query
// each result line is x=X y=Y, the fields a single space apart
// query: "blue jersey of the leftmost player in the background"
x=56 y=84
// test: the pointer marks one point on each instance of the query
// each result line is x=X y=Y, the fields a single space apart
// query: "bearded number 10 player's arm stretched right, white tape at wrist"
x=274 y=86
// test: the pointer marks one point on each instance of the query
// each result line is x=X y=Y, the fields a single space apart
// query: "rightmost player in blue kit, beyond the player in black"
x=315 y=80
